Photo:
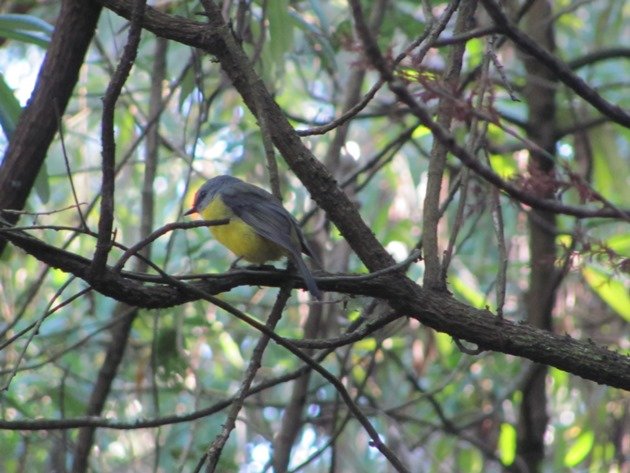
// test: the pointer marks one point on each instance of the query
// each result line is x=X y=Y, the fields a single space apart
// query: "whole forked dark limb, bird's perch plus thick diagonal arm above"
x=438 y=311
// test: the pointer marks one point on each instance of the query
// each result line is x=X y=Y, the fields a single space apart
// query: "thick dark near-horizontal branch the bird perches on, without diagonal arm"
x=436 y=310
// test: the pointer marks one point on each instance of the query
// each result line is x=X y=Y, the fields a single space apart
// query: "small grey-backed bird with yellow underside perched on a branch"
x=260 y=229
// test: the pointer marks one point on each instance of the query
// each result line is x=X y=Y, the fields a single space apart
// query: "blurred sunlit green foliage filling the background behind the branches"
x=438 y=407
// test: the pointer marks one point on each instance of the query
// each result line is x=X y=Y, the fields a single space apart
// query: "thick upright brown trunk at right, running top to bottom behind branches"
x=540 y=91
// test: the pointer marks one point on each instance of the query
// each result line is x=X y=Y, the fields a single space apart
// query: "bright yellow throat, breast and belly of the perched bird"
x=239 y=237
